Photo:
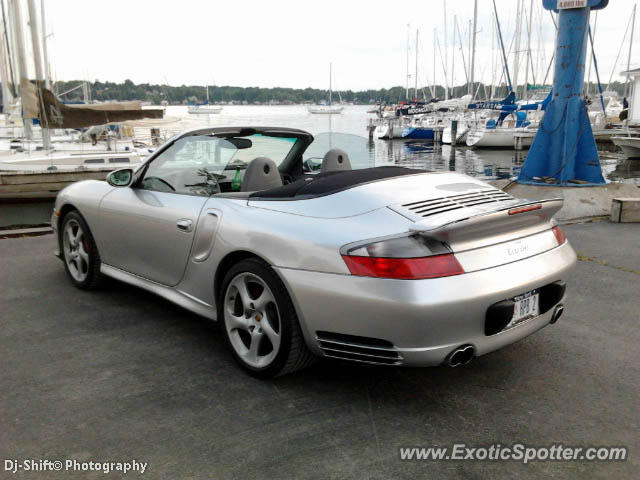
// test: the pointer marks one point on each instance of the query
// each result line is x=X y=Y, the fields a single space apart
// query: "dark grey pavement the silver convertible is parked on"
x=120 y=374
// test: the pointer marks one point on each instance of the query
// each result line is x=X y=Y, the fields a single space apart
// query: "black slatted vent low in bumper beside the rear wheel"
x=358 y=349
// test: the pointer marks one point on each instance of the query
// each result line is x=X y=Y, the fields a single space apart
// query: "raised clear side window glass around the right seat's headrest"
x=361 y=153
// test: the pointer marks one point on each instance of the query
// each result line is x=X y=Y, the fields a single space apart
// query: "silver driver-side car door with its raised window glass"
x=148 y=229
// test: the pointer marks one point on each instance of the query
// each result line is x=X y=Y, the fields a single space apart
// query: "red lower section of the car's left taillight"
x=404 y=268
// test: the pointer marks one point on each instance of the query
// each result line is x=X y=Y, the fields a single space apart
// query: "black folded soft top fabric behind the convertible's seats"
x=331 y=182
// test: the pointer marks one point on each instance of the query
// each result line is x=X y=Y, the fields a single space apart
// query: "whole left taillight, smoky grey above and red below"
x=406 y=257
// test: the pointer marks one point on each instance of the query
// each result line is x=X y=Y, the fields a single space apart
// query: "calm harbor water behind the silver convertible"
x=484 y=164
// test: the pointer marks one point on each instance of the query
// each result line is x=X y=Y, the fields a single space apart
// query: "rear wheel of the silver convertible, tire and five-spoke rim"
x=259 y=322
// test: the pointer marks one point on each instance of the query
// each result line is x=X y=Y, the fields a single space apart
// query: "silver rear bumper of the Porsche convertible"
x=423 y=319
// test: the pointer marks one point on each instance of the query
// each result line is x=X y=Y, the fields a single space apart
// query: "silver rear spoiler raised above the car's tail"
x=465 y=224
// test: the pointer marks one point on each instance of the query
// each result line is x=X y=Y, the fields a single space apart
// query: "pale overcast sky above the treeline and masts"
x=290 y=43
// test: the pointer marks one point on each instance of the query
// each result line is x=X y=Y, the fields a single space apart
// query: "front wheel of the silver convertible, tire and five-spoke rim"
x=79 y=252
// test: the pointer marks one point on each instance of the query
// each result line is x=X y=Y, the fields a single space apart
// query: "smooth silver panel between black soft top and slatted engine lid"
x=371 y=196
